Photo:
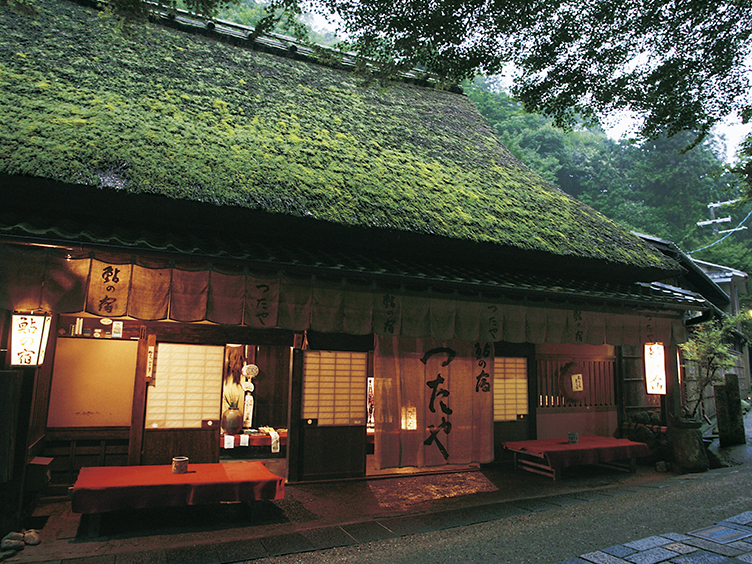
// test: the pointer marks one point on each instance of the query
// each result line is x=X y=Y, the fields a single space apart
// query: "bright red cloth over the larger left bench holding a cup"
x=108 y=488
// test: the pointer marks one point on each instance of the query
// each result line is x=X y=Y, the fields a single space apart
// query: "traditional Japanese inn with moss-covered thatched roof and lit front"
x=186 y=204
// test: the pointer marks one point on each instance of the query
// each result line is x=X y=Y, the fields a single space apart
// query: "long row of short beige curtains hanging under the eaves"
x=34 y=279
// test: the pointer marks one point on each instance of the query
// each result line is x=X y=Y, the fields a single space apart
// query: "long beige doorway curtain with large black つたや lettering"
x=435 y=402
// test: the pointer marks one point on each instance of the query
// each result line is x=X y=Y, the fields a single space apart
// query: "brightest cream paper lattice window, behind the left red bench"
x=188 y=386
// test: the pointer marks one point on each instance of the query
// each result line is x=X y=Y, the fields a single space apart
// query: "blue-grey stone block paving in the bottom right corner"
x=727 y=542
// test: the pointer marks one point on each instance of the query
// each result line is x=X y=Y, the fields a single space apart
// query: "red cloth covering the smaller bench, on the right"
x=588 y=450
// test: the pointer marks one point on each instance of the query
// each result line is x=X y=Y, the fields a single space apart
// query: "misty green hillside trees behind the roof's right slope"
x=651 y=187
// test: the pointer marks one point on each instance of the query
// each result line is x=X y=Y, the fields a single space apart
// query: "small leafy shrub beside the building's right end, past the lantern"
x=710 y=351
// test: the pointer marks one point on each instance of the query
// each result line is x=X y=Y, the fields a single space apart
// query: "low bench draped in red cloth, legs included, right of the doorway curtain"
x=550 y=456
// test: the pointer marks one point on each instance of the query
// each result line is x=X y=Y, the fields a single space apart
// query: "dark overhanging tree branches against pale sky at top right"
x=679 y=65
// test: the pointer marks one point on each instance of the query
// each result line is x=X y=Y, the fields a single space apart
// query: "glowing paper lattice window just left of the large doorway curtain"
x=335 y=387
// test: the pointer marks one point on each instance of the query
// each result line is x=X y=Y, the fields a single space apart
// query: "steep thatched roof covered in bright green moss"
x=157 y=110
